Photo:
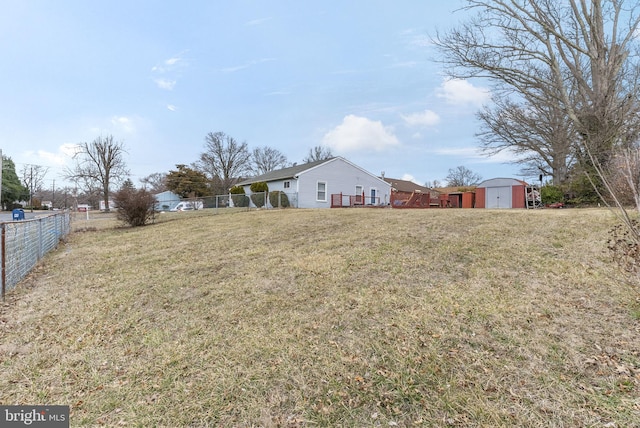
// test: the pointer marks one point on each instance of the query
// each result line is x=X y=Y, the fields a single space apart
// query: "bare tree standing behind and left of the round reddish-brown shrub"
x=99 y=165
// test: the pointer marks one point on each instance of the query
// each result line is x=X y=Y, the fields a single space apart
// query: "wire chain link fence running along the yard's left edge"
x=23 y=243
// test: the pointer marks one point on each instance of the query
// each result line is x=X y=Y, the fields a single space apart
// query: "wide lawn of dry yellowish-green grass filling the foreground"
x=355 y=317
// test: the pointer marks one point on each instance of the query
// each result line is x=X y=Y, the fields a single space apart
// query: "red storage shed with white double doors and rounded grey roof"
x=501 y=193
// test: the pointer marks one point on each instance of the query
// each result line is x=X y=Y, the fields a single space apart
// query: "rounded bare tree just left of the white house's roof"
x=224 y=161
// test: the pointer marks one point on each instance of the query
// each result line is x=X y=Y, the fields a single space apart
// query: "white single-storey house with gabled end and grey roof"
x=333 y=182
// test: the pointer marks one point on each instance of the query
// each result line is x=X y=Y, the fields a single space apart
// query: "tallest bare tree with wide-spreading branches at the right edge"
x=580 y=55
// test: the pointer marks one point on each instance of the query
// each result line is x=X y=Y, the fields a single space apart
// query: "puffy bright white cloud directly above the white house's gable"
x=359 y=133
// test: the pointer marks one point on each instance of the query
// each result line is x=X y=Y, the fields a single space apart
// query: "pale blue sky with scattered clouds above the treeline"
x=359 y=77
